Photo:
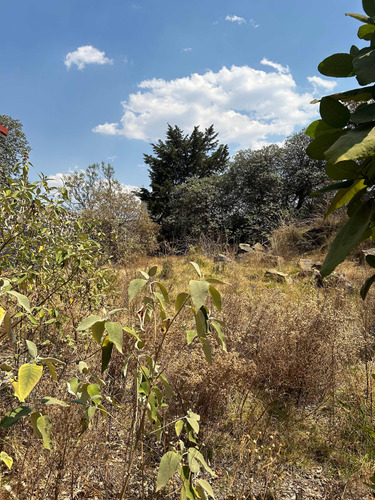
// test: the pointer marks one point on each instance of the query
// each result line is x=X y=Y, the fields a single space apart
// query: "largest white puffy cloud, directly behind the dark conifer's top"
x=246 y=106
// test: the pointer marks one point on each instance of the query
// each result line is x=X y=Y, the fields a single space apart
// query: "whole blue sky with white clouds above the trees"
x=96 y=81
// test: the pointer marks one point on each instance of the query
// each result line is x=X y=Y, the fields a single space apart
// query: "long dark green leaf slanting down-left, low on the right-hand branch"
x=347 y=239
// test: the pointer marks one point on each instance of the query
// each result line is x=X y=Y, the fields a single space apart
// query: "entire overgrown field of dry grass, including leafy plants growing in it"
x=286 y=409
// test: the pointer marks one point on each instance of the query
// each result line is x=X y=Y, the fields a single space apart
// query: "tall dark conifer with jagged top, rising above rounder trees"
x=176 y=160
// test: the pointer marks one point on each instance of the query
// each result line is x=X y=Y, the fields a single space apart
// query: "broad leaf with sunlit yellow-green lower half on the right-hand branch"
x=355 y=144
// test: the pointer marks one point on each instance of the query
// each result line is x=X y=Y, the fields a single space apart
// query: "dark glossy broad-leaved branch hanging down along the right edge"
x=345 y=138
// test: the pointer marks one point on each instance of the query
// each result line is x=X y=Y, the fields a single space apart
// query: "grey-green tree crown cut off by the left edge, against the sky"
x=13 y=149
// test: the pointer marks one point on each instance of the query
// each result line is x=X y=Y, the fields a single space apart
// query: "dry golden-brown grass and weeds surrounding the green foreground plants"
x=293 y=393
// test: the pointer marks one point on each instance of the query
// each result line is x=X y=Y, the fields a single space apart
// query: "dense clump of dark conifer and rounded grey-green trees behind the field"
x=196 y=189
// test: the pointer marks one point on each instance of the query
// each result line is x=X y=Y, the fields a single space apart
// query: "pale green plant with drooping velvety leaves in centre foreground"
x=151 y=384
